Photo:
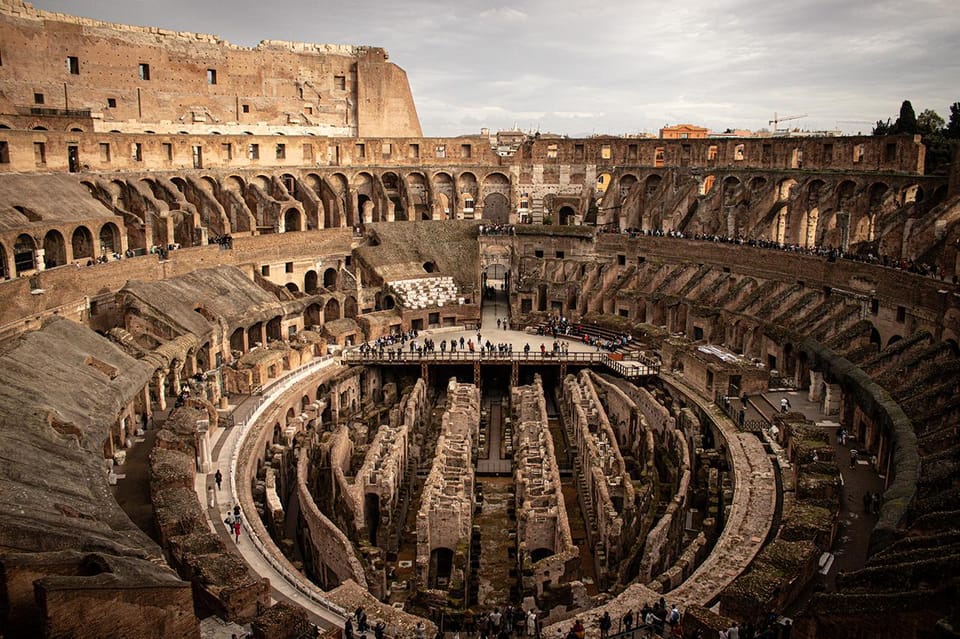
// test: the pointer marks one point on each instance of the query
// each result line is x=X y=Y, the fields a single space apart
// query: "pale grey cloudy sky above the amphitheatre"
x=614 y=67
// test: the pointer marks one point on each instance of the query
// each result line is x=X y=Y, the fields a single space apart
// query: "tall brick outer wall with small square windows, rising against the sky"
x=195 y=81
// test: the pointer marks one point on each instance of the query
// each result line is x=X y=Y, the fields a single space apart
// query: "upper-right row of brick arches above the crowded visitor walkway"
x=812 y=212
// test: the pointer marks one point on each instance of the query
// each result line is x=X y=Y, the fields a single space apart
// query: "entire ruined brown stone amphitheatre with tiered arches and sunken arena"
x=436 y=379
